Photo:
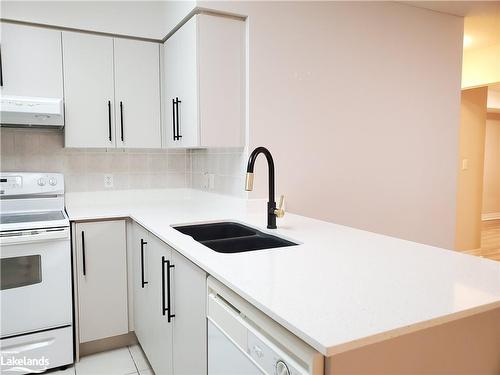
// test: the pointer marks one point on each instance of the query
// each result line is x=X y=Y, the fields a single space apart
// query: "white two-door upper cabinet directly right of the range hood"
x=111 y=92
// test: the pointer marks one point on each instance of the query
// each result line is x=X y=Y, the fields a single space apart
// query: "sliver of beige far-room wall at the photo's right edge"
x=491 y=189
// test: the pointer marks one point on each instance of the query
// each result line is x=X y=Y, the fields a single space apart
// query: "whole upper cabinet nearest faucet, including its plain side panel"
x=204 y=83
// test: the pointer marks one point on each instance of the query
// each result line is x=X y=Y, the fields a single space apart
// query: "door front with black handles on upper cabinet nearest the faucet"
x=181 y=84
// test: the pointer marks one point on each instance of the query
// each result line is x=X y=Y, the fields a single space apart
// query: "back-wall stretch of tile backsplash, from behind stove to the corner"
x=35 y=150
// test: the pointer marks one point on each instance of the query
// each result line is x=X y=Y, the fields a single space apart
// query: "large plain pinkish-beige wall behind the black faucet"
x=359 y=104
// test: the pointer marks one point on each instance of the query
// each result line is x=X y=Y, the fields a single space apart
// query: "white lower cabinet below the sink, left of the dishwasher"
x=169 y=306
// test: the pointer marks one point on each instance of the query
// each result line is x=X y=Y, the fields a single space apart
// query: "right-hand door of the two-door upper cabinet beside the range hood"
x=137 y=94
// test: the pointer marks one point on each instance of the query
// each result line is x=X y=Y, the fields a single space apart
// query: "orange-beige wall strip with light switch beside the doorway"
x=470 y=176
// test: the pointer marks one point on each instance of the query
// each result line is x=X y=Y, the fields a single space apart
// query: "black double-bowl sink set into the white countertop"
x=232 y=237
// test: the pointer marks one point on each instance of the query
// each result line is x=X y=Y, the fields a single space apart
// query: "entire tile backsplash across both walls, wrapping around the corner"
x=38 y=150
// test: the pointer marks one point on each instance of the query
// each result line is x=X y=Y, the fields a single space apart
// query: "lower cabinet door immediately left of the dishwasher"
x=190 y=325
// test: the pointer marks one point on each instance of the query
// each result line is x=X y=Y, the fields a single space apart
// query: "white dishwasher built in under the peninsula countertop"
x=244 y=341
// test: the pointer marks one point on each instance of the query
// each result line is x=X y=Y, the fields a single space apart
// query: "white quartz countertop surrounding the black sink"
x=340 y=289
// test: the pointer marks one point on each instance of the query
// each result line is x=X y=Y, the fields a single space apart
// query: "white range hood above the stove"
x=23 y=111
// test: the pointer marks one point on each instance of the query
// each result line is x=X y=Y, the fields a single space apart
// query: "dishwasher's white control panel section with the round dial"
x=270 y=359
